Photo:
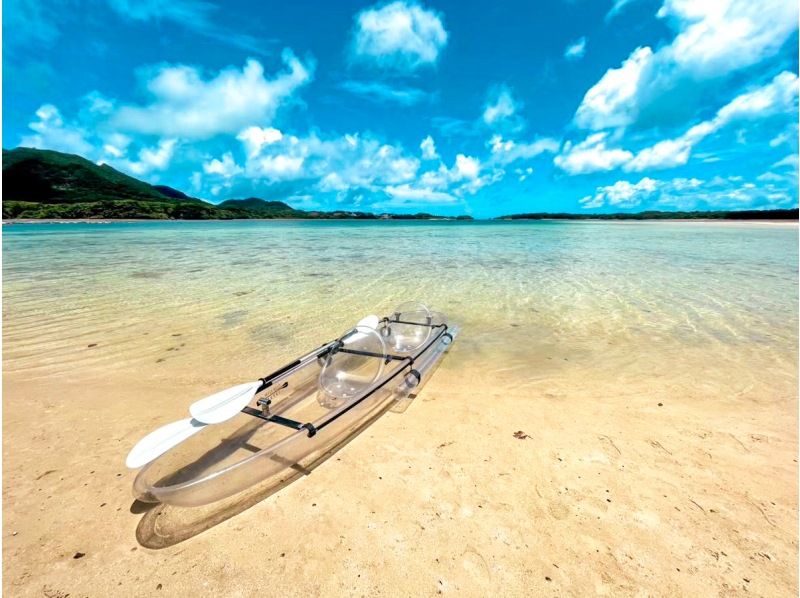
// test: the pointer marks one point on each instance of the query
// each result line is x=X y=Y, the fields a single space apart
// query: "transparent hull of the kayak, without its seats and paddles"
x=227 y=458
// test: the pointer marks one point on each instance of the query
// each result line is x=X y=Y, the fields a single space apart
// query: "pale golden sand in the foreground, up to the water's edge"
x=564 y=476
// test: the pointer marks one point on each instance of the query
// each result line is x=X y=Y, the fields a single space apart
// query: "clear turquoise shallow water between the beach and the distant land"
x=245 y=296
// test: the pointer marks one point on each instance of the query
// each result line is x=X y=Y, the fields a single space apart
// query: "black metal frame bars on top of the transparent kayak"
x=337 y=346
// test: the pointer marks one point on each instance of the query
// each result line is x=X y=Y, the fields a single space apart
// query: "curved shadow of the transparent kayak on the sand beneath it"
x=165 y=525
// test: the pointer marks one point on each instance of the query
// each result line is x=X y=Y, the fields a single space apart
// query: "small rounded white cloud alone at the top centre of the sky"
x=402 y=34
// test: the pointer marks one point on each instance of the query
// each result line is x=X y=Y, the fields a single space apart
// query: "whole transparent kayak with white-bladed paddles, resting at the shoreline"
x=299 y=412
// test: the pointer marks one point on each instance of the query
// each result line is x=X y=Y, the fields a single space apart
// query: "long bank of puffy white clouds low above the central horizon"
x=354 y=168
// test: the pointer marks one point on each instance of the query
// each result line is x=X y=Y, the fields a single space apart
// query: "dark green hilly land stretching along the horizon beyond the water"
x=45 y=184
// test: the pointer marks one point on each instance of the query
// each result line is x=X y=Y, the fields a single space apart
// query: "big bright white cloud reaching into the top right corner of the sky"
x=713 y=39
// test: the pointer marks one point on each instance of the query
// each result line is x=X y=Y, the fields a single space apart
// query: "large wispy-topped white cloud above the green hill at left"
x=188 y=106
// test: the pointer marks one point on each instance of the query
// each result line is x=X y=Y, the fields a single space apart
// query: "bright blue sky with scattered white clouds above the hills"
x=445 y=107
